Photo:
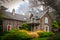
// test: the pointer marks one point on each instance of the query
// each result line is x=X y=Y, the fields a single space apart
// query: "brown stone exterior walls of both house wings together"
x=16 y=24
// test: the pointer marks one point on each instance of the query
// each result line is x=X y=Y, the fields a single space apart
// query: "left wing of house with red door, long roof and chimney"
x=11 y=20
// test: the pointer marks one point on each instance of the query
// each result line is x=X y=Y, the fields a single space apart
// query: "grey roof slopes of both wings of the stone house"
x=21 y=17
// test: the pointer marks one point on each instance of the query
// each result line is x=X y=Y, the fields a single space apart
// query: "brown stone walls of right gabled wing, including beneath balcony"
x=42 y=25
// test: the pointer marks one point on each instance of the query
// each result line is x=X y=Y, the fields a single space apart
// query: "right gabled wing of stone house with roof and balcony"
x=43 y=22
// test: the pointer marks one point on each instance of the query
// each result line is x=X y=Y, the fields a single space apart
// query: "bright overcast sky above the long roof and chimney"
x=20 y=6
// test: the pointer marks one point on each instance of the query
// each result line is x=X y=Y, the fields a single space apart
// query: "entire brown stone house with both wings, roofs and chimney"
x=11 y=20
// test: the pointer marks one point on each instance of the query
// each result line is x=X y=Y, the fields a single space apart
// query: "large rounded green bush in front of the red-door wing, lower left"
x=15 y=35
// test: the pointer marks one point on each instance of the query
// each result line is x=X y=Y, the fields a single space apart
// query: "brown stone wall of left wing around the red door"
x=13 y=23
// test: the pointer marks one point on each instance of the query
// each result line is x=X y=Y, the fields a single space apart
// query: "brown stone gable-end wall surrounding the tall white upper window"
x=43 y=22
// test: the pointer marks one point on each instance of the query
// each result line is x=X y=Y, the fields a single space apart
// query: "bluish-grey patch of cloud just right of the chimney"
x=23 y=7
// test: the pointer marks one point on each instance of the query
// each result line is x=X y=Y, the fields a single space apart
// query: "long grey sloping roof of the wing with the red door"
x=15 y=17
